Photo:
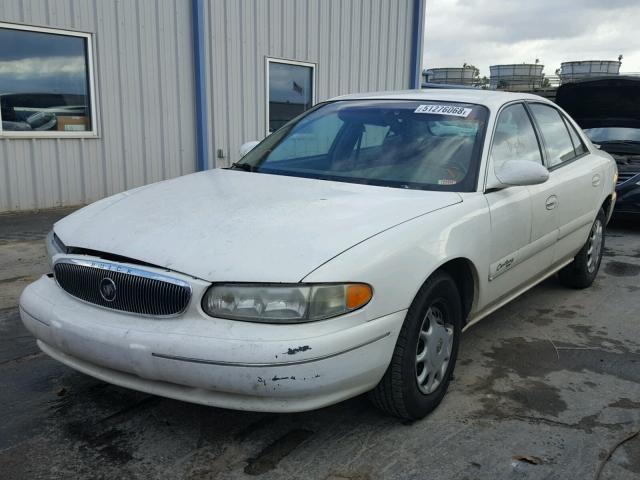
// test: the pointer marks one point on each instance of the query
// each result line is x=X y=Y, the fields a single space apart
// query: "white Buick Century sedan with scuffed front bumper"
x=343 y=254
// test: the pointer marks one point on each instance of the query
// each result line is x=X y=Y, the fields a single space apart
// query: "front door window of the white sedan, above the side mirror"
x=514 y=137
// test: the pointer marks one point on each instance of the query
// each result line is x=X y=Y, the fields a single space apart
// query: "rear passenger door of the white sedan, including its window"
x=576 y=176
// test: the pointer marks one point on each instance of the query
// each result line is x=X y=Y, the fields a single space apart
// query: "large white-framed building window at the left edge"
x=46 y=83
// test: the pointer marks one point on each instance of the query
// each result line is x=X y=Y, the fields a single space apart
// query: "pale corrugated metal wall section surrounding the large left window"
x=144 y=86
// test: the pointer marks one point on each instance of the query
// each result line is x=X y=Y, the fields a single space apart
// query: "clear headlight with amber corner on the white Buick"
x=274 y=303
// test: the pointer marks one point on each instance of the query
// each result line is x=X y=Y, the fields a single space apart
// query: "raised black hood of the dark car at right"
x=602 y=102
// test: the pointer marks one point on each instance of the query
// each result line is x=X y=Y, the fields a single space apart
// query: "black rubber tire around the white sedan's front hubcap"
x=399 y=393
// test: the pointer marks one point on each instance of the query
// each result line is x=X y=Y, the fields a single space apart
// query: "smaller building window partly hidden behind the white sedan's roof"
x=290 y=90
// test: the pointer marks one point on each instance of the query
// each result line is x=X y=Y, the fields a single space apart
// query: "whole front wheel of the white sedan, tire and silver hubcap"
x=425 y=355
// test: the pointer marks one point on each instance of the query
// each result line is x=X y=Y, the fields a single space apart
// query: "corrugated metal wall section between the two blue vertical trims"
x=357 y=45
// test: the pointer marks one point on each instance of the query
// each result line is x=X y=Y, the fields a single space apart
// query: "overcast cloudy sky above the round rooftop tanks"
x=488 y=32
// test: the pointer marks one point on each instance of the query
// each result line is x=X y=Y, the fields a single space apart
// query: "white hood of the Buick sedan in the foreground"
x=227 y=225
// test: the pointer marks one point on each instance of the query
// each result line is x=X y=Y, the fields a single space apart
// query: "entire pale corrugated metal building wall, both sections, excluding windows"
x=144 y=83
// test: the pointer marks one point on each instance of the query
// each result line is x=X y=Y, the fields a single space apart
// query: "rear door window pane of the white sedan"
x=555 y=134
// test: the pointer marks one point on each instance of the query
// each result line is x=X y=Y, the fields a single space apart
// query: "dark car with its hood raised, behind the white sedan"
x=608 y=109
